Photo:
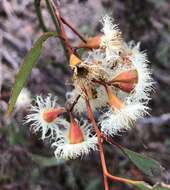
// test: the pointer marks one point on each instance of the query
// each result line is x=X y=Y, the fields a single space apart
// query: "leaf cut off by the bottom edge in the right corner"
x=144 y=186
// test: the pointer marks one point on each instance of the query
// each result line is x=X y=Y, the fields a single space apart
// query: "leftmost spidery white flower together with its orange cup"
x=47 y=127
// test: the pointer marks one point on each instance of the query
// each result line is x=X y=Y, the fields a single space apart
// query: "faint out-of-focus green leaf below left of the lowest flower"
x=45 y=161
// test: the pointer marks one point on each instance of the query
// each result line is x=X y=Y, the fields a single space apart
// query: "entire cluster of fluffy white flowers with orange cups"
x=115 y=78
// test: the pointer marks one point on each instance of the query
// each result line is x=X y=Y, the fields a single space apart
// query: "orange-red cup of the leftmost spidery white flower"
x=51 y=114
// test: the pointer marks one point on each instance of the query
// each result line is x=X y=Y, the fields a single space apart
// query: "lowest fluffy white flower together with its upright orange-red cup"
x=75 y=141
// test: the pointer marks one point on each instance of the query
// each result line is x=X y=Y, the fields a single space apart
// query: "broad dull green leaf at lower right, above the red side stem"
x=148 y=166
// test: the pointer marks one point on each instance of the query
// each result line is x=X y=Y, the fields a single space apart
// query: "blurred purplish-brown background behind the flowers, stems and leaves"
x=28 y=164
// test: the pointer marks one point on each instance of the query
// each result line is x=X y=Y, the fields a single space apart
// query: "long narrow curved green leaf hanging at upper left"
x=26 y=68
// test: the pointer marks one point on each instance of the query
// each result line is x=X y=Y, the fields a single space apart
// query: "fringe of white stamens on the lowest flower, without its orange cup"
x=64 y=149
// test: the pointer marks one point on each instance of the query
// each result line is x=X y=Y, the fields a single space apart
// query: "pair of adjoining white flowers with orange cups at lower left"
x=71 y=139
